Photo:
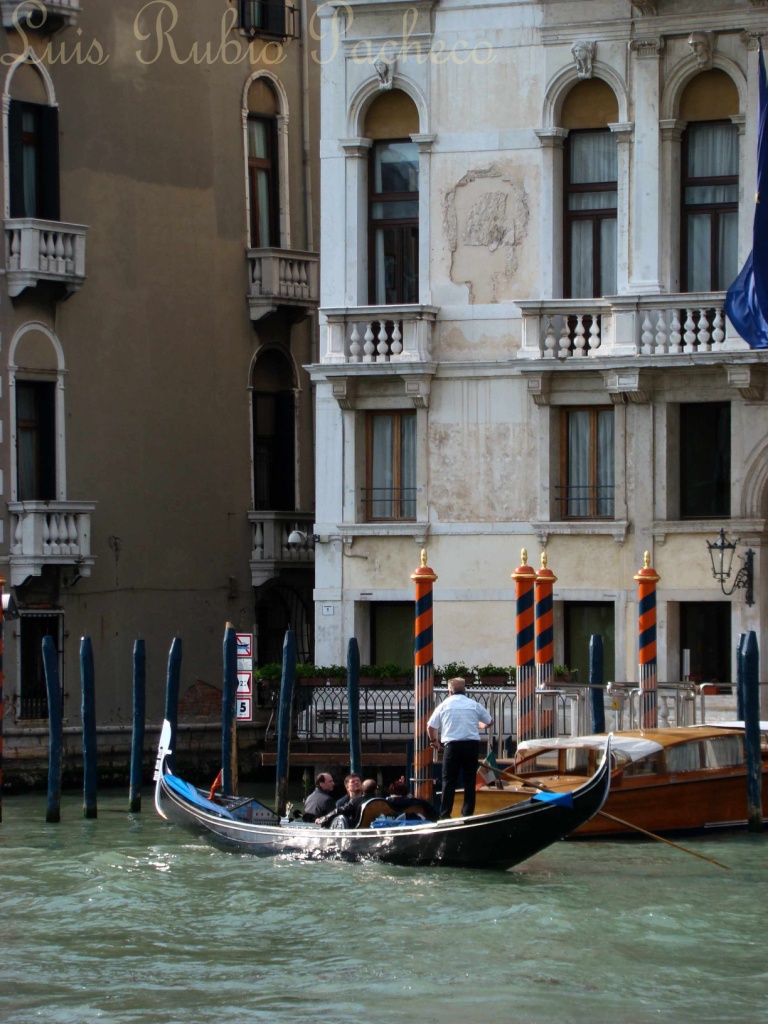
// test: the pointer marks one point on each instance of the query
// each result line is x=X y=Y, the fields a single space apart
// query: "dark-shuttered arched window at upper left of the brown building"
x=32 y=147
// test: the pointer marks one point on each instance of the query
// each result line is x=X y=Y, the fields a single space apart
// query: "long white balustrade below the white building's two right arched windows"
x=657 y=326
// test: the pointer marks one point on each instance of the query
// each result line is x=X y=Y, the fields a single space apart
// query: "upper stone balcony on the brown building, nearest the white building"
x=282 y=278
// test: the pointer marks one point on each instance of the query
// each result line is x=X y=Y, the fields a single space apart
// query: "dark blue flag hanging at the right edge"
x=747 y=301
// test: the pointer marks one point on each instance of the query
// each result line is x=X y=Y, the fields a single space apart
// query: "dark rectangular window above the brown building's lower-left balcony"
x=36 y=441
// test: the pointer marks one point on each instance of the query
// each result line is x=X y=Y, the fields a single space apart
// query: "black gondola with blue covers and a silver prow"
x=397 y=833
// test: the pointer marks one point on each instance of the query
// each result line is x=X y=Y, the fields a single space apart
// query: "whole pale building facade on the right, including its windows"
x=531 y=214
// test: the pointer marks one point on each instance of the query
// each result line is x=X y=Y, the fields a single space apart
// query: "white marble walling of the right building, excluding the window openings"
x=493 y=353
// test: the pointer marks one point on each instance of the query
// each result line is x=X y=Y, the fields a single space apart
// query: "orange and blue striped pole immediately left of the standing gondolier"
x=424 y=679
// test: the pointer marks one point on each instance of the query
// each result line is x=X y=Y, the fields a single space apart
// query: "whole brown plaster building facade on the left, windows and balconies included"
x=157 y=309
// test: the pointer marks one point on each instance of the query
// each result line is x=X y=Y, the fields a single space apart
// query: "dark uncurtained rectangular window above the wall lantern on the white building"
x=706 y=460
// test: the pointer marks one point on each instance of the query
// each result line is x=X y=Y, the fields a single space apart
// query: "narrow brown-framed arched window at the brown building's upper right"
x=264 y=166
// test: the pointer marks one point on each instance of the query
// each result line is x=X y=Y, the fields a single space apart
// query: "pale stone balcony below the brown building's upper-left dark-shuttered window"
x=44 y=250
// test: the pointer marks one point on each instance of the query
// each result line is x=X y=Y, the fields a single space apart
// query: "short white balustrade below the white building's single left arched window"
x=379 y=334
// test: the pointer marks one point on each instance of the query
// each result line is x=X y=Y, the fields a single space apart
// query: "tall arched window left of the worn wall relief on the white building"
x=394 y=200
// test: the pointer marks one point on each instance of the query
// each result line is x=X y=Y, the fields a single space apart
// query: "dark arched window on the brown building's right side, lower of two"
x=274 y=434
